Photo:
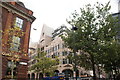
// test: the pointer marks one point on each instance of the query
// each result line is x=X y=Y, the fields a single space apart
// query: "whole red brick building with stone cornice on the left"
x=16 y=26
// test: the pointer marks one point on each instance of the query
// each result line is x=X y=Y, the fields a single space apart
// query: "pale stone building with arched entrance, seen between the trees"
x=51 y=43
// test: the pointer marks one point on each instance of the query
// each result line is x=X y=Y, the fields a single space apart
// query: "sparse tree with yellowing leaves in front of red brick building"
x=8 y=49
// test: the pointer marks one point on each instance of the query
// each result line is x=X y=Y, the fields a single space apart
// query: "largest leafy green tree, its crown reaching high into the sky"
x=96 y=29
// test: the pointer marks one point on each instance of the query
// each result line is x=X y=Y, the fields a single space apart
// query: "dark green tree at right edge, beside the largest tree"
x=111 y=58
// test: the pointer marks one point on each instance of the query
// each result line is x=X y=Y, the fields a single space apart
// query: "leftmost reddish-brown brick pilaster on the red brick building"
x=5 y=39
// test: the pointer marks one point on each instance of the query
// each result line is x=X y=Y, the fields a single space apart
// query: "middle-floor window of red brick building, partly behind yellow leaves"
x=15 y=43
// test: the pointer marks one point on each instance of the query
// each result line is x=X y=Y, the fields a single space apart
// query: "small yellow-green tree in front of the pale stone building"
x=44 y=64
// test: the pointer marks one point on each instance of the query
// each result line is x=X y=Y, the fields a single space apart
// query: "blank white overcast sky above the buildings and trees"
x=54 y=13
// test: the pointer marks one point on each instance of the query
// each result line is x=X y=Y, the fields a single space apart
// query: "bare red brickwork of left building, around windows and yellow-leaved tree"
x=8 y=17
